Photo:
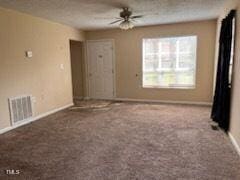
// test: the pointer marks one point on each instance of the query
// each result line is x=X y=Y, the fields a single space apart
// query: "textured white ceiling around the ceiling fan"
x=97 y=14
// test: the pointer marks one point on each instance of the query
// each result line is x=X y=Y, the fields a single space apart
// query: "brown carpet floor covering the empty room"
x=121 y=141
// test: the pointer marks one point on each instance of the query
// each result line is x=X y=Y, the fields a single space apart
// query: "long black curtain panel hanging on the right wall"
x=221 y=103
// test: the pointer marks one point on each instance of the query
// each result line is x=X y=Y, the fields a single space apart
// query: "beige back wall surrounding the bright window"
x=128 y=50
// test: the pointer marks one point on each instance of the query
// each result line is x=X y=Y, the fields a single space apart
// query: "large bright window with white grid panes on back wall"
x=169 y=62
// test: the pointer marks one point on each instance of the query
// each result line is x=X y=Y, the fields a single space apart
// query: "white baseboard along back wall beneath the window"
x=164 y=101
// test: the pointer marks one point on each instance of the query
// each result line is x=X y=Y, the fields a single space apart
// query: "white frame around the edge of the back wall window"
x=186 y=87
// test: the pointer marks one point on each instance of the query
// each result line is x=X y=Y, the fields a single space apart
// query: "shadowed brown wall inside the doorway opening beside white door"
x=76 y=48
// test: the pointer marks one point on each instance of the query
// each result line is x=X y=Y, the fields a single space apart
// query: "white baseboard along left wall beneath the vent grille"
x=34 y=118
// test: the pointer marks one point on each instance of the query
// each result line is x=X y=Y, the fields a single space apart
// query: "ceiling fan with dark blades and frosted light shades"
x=126 y=19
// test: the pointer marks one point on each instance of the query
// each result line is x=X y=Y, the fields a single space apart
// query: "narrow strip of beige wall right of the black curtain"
x=235 y=106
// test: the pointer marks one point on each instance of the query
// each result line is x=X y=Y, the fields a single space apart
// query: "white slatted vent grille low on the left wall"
x=20 y=108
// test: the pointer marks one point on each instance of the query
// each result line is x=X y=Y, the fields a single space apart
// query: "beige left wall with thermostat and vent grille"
x=40 y=75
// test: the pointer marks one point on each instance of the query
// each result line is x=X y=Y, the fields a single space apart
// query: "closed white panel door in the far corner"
x=100 y=69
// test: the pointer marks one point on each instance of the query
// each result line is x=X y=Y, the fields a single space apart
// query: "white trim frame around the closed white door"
x=87 y=66
